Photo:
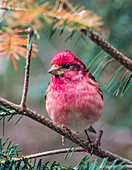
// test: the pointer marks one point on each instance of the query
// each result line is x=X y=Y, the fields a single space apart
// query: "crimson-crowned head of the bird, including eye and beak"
x=64 y=62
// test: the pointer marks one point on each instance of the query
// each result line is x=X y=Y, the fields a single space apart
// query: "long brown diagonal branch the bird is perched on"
x=45 y=121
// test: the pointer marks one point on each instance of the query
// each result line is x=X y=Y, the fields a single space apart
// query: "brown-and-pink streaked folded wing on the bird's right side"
x=93 y=82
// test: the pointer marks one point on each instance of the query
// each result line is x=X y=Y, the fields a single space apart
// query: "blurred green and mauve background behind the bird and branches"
x=116 y=121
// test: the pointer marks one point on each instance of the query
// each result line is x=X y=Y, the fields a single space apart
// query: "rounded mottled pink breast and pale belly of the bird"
x=74 y=105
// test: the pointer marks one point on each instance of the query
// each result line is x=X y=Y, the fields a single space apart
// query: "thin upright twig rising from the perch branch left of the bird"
x=27 y=69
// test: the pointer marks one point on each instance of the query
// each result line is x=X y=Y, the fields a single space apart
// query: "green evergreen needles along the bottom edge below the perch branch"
x=10 y=159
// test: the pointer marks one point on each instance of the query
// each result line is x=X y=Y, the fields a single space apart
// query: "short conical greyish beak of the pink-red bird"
x=56 y=70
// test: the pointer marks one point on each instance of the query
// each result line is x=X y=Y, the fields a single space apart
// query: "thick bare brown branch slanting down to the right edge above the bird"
x=104 y=45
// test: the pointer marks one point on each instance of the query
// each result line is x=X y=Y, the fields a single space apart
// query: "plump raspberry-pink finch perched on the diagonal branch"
x=73 y=97
